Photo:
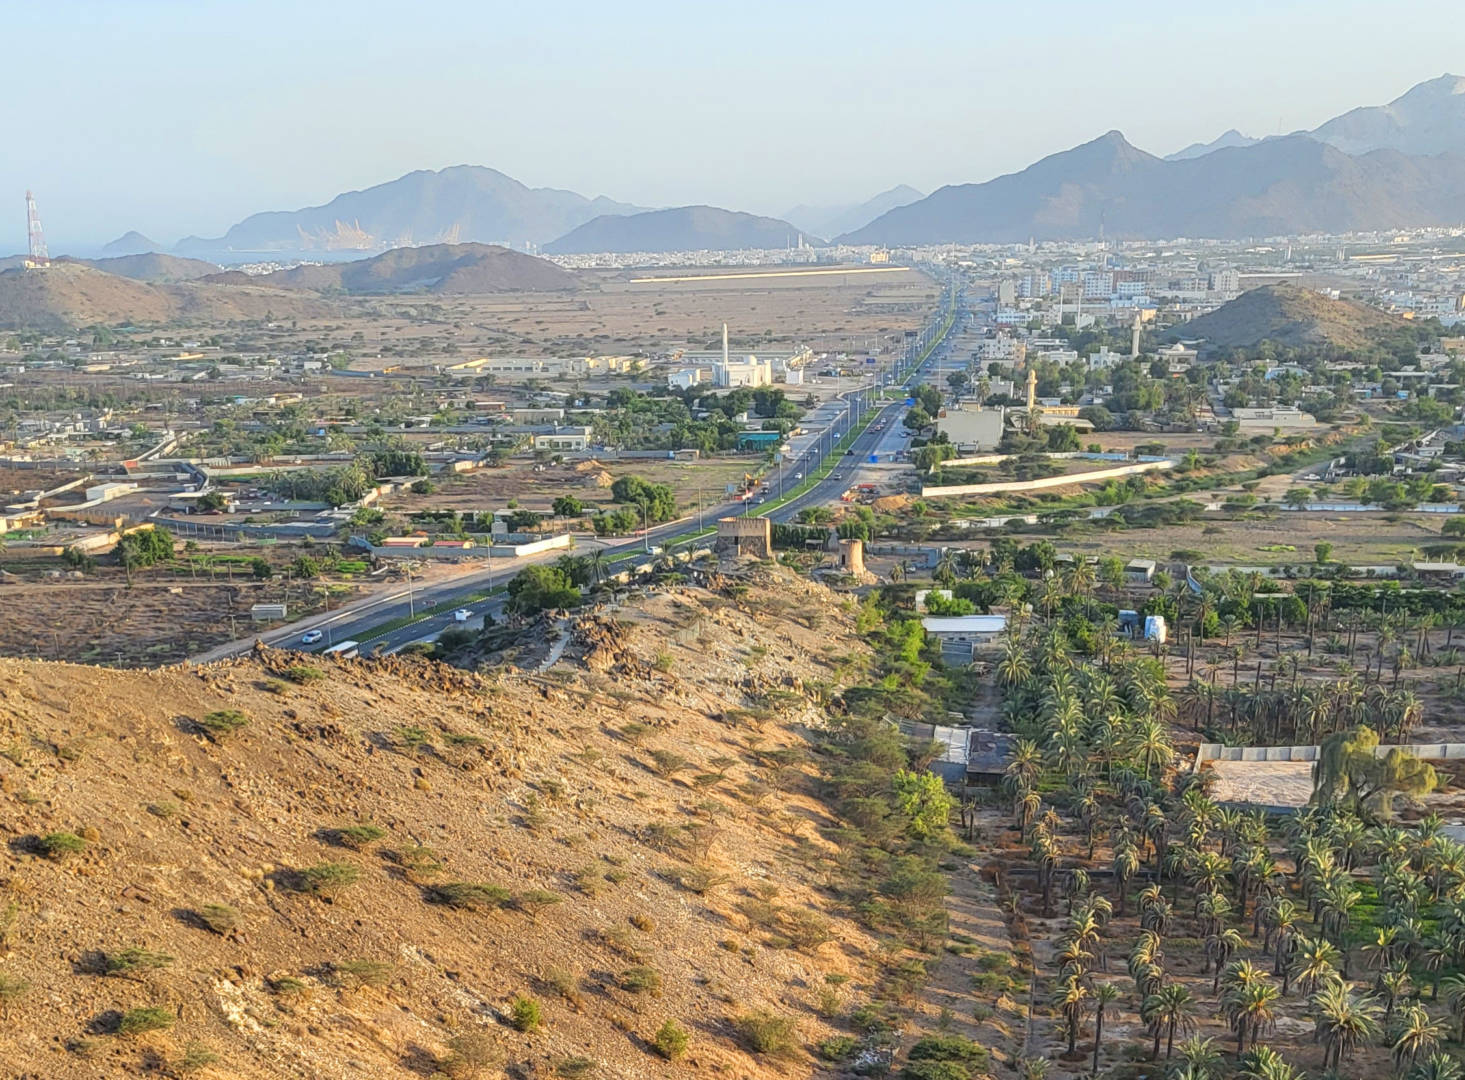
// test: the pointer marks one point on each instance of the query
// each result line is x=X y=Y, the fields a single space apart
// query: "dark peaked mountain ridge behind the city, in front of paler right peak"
x=1108 y=187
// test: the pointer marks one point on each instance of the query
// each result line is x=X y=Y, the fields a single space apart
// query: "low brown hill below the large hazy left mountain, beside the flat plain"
x=445 y=269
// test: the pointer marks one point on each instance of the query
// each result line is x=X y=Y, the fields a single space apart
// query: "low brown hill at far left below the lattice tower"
x=71 y=295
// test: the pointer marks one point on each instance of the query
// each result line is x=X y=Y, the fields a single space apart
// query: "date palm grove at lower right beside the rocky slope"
x=1227 y=933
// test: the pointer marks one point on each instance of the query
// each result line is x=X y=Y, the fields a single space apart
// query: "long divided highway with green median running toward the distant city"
x=361 y=621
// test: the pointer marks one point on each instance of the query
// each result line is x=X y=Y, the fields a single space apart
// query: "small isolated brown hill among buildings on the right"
x=1293 y=316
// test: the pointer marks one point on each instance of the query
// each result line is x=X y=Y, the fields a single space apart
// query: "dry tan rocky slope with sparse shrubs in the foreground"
x=623 y=868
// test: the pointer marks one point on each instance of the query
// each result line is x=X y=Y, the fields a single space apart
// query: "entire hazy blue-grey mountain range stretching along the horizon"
x=1391 y=166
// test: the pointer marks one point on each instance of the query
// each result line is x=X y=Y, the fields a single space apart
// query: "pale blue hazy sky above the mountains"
x=179 y=119
